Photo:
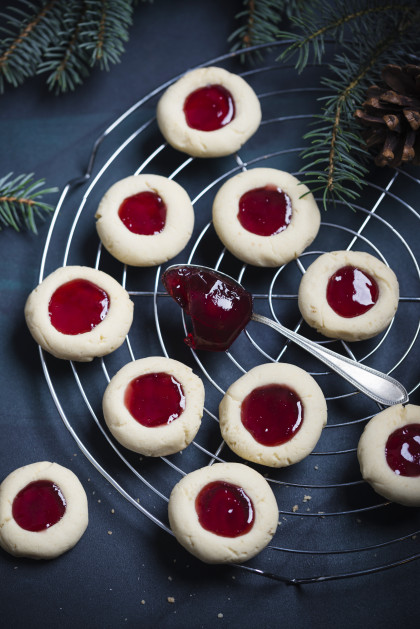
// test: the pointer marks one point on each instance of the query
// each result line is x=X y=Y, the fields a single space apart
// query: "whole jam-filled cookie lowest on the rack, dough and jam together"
x=246 y=520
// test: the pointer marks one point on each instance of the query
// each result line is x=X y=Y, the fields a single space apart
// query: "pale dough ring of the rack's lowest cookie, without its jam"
x=211 y=547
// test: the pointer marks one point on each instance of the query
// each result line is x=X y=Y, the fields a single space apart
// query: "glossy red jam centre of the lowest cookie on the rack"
x=224 y=509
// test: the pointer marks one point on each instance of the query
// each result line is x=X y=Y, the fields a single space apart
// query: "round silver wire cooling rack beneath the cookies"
x=331 y=524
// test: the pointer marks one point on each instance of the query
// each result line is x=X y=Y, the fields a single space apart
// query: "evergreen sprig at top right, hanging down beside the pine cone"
x=367 y=34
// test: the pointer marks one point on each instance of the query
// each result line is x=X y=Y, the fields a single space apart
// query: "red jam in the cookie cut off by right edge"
x=402 y=450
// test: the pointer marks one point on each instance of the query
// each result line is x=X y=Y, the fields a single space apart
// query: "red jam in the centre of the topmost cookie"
x=209 y=108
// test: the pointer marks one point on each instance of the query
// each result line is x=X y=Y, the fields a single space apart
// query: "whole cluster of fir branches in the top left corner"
x=64 y=39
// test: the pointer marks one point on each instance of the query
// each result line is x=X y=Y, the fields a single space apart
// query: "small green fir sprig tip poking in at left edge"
x=20 y=202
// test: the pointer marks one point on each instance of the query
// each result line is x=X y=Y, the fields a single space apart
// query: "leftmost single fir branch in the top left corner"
x=29 y=31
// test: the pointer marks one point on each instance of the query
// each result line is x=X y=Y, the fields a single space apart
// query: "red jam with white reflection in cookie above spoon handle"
x=351 y=292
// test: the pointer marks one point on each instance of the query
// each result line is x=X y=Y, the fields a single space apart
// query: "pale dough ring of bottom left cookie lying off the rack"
x=57 y=538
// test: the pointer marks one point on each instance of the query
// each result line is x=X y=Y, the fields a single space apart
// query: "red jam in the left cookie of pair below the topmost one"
x=143 y=213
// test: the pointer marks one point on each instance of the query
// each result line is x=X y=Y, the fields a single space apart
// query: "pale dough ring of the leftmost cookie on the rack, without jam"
x=102 y=339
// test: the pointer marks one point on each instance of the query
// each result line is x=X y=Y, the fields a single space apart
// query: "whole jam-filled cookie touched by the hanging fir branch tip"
x=287 y=238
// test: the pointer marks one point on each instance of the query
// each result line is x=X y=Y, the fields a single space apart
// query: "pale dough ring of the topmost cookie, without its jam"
x=244 y=114
